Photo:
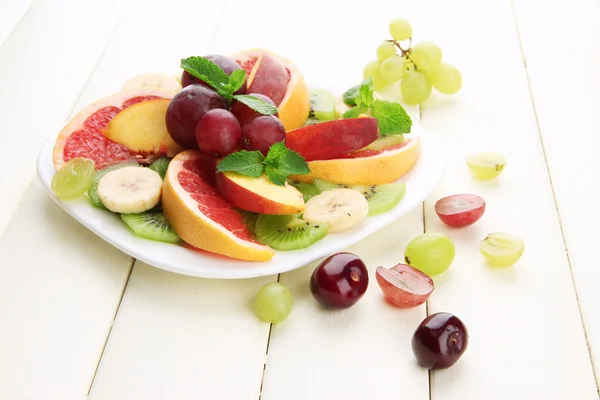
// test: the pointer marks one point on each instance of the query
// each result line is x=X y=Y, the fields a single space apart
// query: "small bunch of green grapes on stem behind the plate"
x=419 y=67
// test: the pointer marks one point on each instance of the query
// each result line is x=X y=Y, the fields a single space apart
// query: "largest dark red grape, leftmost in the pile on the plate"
x=185 y=111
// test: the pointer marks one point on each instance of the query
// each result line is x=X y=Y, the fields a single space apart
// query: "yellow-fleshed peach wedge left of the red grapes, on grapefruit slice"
x=141 y=128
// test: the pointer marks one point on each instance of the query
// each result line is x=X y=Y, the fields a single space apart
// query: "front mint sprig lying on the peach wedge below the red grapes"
x=279 y=163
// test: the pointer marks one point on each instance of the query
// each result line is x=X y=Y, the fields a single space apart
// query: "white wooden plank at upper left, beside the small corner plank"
x=60 y=40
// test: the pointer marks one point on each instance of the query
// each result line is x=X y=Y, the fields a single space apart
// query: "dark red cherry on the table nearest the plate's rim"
x=339 y=281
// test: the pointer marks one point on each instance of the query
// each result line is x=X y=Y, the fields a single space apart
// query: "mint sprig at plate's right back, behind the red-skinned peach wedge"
x=391 y=116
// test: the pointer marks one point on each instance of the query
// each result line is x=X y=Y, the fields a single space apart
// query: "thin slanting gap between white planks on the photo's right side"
x=539 y=131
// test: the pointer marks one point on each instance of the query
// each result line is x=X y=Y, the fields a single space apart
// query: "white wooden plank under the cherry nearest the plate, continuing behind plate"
x=363 y=352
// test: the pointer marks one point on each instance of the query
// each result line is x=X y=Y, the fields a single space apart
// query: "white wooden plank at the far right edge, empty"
x=571 y=115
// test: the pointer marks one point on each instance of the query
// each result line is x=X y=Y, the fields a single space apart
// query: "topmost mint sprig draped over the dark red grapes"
x=226 y=85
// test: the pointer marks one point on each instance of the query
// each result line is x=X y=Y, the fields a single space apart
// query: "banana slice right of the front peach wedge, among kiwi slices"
x=340 y=209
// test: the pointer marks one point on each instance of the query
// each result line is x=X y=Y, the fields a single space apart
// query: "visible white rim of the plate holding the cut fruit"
x=420 y=181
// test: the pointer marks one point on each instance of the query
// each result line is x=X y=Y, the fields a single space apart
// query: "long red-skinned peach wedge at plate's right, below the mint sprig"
x=332 y=139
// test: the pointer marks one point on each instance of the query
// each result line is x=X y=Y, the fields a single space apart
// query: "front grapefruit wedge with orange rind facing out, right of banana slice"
x=200 y=216
